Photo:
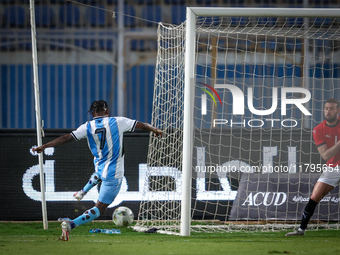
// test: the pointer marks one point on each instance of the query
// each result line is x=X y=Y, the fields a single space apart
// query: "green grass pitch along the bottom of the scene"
x=30 y=238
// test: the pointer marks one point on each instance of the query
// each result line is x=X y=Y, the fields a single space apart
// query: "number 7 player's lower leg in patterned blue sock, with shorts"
x=108 y=192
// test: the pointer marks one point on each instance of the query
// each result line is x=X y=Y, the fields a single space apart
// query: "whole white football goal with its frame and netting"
x=237 y=93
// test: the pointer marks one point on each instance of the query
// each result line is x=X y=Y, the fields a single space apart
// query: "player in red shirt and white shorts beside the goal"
x=327 y=139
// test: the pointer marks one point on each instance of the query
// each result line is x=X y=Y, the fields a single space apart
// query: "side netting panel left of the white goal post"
x=162 y=189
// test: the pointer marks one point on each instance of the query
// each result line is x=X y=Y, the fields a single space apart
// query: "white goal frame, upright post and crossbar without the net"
x=191 y=14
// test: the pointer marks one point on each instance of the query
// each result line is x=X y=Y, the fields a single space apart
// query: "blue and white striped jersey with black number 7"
x=105 y=139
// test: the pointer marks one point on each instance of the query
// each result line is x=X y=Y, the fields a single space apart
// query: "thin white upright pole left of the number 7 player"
x=37 y=112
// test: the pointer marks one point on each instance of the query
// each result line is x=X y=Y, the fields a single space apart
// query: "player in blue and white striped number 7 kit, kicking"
x=105 y=139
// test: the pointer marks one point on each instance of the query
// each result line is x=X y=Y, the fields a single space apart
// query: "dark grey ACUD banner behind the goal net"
x=281 y=197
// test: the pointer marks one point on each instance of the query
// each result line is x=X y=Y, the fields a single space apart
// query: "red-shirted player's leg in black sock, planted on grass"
x=320 y=190
